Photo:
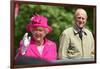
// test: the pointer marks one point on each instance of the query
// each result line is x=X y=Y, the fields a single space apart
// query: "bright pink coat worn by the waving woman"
x=49 y=51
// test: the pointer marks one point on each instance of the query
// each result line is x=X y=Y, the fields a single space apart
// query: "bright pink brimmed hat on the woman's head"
x=38 y=21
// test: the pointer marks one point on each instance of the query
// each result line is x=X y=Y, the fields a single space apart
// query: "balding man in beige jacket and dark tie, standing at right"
x=77 y=41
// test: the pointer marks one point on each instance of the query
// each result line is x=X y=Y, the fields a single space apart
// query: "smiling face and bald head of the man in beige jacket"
x=80 y=19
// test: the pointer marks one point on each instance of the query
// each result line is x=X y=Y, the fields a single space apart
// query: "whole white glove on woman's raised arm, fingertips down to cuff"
x=26 y=42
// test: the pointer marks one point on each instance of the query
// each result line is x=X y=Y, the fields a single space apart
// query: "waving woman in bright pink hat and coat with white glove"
x=38 y=46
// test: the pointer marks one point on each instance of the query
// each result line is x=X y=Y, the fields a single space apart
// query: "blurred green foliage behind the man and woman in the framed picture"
x=59 y=18
